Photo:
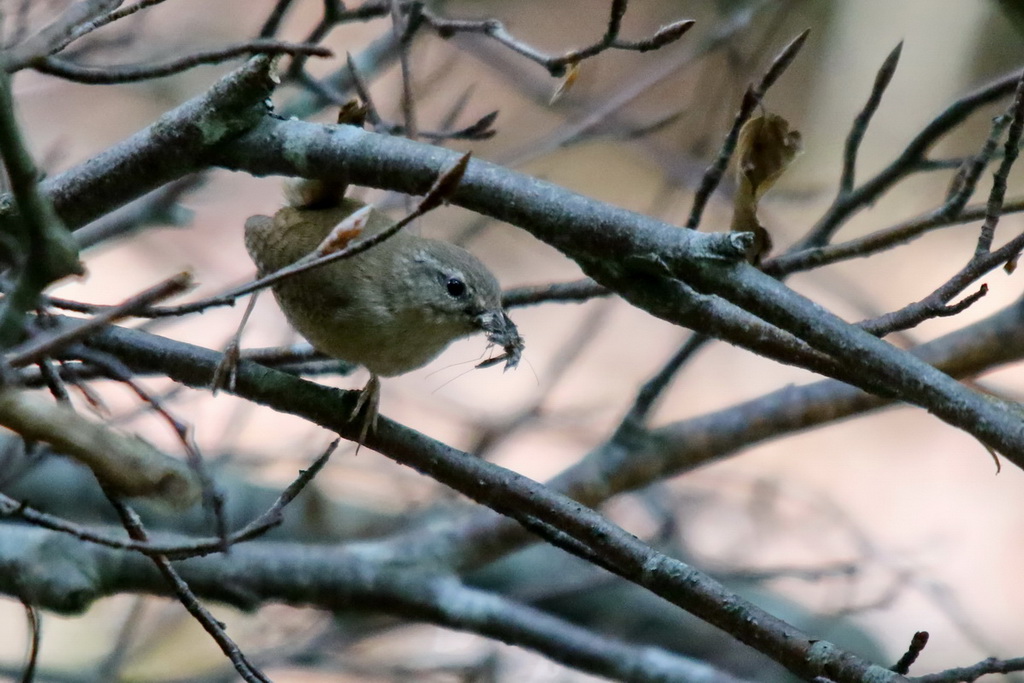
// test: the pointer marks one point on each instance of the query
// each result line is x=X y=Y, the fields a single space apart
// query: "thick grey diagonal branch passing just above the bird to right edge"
x=655 y=266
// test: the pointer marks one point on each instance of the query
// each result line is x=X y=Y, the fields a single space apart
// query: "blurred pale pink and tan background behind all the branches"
x=863 y=532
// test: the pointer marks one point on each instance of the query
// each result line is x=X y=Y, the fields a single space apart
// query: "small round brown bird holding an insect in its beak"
x=393 y=309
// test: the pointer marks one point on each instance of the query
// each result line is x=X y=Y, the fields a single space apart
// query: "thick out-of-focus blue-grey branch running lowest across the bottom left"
x=59 y=573
